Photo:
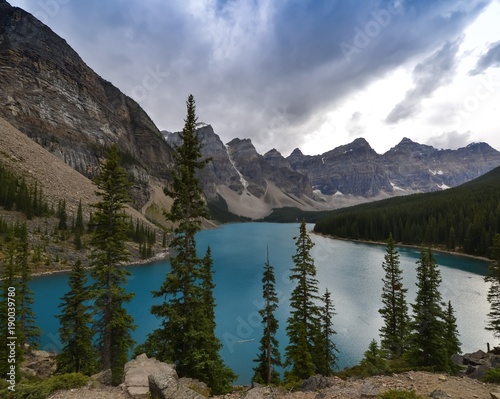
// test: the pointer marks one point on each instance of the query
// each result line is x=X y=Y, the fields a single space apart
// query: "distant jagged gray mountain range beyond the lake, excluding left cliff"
x=253 y=184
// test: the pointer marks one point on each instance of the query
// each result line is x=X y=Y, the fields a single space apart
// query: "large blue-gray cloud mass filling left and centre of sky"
x=261 y=69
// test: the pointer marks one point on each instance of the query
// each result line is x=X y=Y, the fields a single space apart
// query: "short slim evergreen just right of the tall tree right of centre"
x=326 y=348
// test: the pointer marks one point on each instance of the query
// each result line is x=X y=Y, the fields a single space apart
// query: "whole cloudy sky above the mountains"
x=313 y=74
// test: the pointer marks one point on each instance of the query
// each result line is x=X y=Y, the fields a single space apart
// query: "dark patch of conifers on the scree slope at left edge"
x=16 y=194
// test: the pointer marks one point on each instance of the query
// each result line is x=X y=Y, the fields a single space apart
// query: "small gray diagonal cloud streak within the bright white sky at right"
x=435 y=71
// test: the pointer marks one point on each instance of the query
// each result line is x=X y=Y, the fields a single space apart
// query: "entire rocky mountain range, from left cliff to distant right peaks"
x=51 y=95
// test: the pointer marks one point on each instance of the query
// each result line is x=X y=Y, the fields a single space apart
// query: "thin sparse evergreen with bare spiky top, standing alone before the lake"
x=269 y=355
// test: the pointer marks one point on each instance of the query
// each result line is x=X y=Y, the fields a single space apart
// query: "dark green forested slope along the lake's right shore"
x=464 y=218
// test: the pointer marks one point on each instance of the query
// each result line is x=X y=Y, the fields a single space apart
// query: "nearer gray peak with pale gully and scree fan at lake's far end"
x=250 y=184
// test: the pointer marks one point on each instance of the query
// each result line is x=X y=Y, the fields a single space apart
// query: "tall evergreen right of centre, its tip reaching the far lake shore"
x=303 y=324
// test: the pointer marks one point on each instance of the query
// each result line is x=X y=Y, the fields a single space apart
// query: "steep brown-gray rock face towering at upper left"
x=51 y=95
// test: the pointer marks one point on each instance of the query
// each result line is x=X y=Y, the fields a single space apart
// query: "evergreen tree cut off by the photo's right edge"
x=493 y=278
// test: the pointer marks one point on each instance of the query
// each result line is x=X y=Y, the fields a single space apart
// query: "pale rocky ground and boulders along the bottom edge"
x=145 y=375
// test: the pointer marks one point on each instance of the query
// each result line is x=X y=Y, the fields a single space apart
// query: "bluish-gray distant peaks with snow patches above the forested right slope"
x=357 y=169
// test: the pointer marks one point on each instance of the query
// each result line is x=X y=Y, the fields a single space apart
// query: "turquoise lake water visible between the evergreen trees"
x=351 y=271
